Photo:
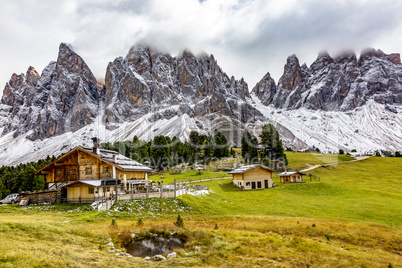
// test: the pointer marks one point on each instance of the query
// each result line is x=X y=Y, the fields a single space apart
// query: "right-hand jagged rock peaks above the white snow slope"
x=336 y=84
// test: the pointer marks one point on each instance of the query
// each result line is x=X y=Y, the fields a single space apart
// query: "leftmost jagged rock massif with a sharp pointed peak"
x=64 y=98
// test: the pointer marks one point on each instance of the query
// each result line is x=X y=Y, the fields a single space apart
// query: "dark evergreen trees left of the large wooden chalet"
x=20 y=178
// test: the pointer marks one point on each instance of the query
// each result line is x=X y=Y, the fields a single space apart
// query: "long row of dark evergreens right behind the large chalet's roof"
x=163 y=151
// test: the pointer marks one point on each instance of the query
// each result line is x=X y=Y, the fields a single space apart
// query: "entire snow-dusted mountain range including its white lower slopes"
x=149 y=94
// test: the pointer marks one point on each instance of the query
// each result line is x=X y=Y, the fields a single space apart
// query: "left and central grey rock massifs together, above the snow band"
x=145 y=84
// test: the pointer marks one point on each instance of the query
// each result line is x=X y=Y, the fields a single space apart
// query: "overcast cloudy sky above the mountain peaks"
x=247 y=37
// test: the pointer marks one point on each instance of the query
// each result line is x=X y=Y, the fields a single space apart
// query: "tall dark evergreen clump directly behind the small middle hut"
x=269 y=151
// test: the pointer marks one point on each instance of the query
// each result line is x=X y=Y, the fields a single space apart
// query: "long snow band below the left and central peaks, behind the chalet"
x=14 y=151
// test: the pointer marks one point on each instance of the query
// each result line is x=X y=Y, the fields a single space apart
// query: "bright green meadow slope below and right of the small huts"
x=366 y=190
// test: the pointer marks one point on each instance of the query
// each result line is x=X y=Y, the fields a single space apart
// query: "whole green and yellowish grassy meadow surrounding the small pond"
x=352 y=217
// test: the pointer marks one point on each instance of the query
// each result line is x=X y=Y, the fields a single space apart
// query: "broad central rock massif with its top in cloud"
x=148 y=81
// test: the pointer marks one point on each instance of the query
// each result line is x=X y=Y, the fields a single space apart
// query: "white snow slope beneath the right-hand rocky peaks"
x=367 y=128
